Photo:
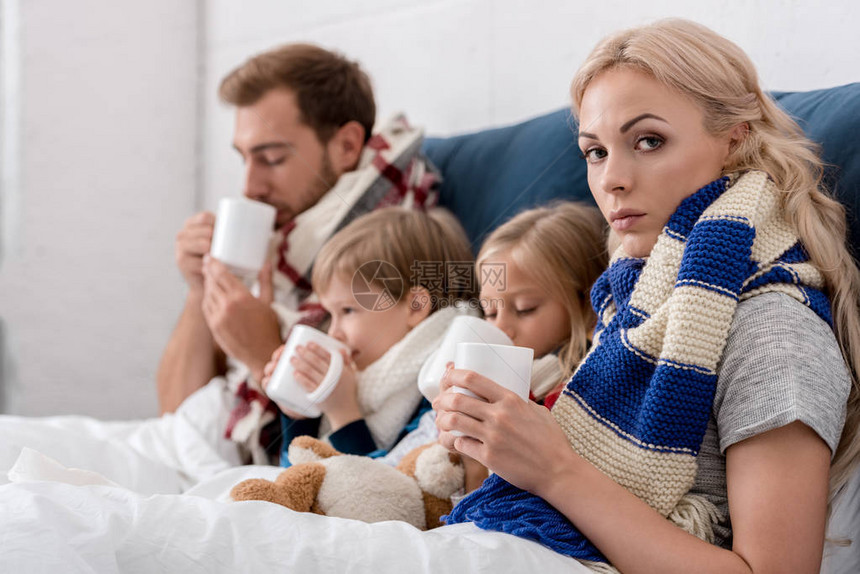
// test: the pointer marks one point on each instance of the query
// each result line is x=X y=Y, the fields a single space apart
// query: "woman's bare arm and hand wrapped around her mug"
x=777 y=485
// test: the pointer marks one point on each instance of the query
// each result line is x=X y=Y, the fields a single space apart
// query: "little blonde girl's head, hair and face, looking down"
x=549 y=257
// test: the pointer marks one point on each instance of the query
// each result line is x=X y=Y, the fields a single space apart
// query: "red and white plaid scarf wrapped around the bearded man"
x=392 y=171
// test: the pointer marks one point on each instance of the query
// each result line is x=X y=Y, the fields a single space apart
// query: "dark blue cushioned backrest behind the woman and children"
x=492 y=175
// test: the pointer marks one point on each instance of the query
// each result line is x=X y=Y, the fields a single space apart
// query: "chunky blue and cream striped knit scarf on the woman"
x=638 y=406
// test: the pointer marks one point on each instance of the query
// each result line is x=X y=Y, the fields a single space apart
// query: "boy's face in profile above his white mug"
x=369 y=334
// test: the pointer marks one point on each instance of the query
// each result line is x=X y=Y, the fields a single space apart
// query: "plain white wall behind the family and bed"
x=109 y=139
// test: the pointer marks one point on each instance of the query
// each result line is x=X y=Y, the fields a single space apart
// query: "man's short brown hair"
x=330 y=89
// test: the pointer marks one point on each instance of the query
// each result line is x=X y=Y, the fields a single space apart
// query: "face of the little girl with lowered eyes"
x=524 y=310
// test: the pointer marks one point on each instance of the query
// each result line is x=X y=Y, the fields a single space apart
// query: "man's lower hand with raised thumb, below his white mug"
x=245 y=327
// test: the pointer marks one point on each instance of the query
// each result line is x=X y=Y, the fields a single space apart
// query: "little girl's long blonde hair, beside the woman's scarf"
x=563 y=247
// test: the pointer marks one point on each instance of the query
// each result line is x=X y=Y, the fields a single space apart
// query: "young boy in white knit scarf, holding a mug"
x=389 y=315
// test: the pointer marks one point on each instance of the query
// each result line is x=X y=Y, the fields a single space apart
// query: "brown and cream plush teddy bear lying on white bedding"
x=325 y=481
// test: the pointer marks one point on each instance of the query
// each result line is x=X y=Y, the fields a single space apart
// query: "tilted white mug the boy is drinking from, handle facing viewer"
x=283 y=386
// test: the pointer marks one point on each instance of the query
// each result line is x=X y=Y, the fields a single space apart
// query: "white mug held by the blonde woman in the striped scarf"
x=506 y=365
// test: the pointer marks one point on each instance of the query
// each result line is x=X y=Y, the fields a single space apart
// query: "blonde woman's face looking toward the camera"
x=647 y=150
